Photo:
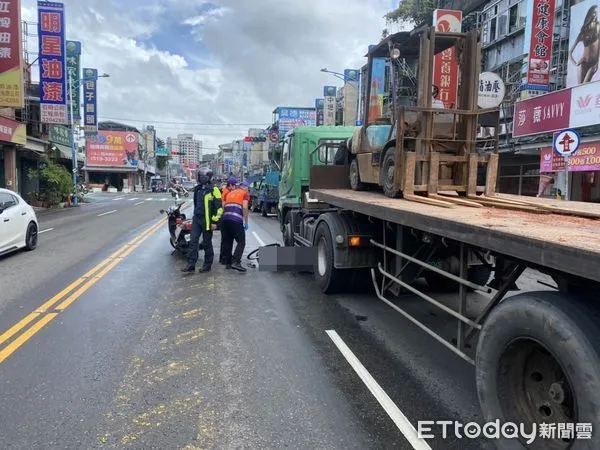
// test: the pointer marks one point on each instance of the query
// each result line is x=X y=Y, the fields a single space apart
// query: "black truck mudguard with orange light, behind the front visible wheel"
x=351 y=237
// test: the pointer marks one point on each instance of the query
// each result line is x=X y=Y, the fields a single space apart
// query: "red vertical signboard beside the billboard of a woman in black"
x=540 y=43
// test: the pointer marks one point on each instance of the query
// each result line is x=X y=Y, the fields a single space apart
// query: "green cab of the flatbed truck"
x=302 y=148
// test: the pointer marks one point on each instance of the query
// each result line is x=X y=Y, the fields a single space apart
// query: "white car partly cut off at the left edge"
x=18 y=223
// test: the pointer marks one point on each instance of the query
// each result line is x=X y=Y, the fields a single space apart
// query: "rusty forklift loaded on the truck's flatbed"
x=421 y=151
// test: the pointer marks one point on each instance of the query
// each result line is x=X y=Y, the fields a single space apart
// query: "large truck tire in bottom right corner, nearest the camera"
x=538 y=362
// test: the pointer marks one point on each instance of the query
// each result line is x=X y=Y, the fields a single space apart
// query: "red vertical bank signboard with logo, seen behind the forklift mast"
x=445 y=71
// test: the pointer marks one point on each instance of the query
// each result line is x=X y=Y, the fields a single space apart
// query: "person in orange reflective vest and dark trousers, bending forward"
x=234 y=226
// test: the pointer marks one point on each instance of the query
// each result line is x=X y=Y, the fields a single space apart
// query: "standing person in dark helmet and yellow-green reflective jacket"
x=207 y=213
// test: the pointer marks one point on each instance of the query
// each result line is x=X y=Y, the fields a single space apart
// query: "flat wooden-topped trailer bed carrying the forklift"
x=565 y=243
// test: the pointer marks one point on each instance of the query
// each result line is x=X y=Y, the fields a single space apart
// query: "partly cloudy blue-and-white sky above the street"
x=218 y=68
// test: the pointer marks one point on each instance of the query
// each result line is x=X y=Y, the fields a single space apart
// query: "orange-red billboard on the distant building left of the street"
x=113 y=149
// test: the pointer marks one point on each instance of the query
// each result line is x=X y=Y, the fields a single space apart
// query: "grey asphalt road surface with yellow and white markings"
x=134 y=354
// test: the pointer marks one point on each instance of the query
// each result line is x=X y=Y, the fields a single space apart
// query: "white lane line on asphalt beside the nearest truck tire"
x=403 y=424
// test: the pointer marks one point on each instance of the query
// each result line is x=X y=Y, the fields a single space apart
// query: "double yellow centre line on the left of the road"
x=15 y=337
